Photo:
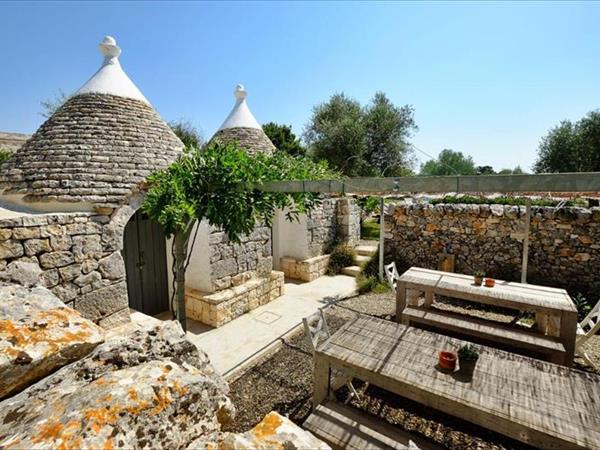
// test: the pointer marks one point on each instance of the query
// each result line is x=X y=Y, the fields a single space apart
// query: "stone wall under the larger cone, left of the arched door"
x=79 y=259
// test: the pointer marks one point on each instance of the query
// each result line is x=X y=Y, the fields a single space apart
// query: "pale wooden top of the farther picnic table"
x=524 y=297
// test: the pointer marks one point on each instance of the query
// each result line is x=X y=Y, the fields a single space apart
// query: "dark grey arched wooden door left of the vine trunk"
x=146 y=264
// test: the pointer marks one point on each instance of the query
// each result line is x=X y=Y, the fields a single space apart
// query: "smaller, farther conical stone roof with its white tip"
x=241 y=126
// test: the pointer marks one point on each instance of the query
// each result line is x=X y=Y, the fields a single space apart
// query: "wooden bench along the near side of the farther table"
x=553 y=350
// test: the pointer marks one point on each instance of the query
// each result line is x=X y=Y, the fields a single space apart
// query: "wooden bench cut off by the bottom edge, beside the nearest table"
x=344 y=427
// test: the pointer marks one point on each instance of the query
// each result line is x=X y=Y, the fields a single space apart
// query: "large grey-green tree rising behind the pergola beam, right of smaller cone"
x=362 y=141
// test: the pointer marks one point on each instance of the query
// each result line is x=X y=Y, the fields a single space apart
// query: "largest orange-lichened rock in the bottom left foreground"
x=149 y=389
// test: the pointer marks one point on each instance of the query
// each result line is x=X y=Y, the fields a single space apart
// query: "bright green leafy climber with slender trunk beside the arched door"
x=218 y=184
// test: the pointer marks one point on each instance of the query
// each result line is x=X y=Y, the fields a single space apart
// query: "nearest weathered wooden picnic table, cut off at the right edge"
x=536 y=402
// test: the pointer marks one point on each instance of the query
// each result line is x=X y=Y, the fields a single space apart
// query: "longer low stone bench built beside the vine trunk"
x=216 y=309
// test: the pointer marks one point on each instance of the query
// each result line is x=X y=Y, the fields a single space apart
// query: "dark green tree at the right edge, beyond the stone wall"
x=571 y=147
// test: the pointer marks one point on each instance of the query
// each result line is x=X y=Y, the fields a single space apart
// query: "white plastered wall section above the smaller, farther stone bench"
x=289 y=238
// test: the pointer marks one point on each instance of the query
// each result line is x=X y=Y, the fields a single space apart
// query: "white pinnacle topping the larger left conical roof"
x=110 y=78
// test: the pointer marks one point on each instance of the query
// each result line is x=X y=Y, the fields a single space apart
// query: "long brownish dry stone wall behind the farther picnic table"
x=564 y=246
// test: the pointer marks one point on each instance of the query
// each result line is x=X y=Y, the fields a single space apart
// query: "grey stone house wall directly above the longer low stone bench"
x=230 y=261
